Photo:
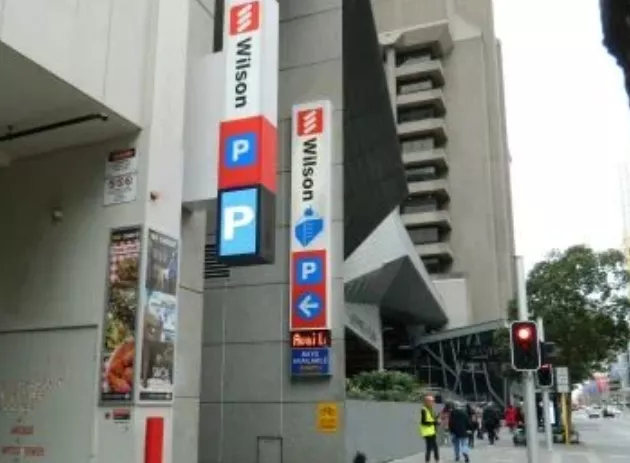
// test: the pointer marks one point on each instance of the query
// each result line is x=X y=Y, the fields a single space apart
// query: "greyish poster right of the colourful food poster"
x=160 y=319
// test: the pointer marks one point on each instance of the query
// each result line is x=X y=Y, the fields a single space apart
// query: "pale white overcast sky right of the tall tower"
x=568 y=122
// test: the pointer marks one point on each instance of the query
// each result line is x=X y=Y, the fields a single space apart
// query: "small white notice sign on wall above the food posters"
x=121 y=177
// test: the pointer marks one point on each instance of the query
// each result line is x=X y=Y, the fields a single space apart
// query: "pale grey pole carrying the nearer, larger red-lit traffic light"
x=531 y=427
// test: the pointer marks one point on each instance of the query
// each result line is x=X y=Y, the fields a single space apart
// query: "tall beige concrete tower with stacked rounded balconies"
x=444 y=69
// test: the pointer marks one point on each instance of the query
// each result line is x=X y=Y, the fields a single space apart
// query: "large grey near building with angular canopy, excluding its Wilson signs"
x=117 y=318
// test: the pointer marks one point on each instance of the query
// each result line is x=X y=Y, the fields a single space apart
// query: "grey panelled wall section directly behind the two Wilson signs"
x=249 y=404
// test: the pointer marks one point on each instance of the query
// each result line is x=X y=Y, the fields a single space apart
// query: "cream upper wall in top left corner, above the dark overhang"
x=102 y=47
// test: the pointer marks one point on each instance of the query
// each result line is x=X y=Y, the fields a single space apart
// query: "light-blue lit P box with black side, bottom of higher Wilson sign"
x=246 y=224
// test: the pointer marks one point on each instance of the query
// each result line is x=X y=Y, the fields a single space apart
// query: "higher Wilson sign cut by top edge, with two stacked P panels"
x=247 y=138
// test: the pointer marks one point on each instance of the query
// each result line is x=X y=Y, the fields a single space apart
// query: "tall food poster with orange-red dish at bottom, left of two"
x=119 y=337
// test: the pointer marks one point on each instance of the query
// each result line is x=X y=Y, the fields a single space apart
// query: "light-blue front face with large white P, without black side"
x=238 y=222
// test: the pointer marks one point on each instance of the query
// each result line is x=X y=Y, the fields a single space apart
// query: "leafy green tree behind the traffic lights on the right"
x=582 y=297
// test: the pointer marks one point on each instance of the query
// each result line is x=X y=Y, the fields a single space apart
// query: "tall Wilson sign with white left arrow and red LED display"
x=311 y=210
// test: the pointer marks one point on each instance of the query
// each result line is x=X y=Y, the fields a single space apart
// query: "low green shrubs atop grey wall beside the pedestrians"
x=386 y=386
